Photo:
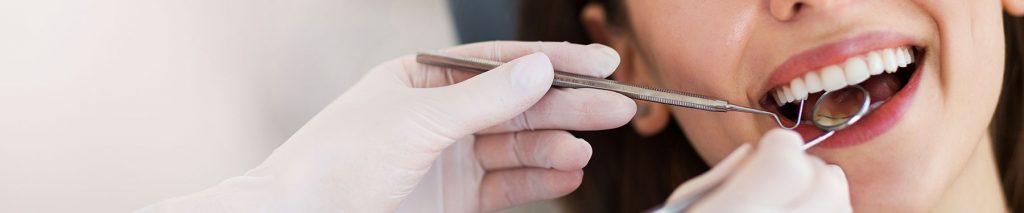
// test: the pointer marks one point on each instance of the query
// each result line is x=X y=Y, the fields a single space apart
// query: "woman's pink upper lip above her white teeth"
x=833 y=54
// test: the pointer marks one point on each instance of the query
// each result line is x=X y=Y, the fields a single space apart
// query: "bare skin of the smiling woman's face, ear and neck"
x=731 y=50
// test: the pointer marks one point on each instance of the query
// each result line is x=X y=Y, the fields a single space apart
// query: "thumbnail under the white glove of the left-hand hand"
x=533 y=71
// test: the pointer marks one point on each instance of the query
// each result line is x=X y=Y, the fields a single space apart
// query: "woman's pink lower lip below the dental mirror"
x=873 y=125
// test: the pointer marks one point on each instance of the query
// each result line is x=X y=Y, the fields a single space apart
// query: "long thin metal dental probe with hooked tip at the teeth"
x=570 y=80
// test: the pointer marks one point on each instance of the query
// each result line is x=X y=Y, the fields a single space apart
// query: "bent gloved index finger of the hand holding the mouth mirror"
x=774 y=177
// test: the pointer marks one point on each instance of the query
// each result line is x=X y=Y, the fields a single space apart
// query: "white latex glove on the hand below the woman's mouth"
x=779 y=177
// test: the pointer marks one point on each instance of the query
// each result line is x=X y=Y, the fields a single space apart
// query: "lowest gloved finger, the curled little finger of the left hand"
x=509 y=188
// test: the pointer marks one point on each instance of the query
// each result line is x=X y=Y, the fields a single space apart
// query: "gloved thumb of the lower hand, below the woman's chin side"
x=723 y=171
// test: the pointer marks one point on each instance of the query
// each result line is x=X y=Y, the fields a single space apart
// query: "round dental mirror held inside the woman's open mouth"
x=838 y=110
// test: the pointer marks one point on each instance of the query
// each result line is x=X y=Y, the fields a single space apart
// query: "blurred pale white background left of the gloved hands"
x=108 y=106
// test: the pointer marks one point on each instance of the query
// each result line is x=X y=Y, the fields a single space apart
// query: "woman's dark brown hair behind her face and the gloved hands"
x=632 y=174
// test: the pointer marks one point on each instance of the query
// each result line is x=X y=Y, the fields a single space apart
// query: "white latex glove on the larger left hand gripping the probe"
x=369 y=150
